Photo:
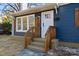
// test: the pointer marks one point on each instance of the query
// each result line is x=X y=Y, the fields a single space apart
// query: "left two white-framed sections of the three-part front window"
x=21 y=24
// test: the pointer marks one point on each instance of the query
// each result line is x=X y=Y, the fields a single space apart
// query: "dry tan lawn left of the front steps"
x=11 y=45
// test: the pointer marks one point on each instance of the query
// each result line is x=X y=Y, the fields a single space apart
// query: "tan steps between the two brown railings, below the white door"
x=37 y=44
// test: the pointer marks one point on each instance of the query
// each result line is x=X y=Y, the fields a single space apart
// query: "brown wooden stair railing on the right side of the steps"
x=50 y=34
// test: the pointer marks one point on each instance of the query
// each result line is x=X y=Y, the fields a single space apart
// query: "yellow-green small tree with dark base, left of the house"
x=6 y=23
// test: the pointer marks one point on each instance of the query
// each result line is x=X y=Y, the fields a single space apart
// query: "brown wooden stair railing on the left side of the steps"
x=29 y=36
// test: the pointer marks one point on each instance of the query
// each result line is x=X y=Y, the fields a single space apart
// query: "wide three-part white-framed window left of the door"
x=24 y=23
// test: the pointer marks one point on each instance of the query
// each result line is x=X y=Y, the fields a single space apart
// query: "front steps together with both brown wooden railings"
x=34 y=43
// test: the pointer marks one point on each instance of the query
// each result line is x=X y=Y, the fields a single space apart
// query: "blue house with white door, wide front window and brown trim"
x=63 y=17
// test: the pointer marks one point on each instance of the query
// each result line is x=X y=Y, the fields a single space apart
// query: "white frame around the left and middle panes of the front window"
x=22 y=23
